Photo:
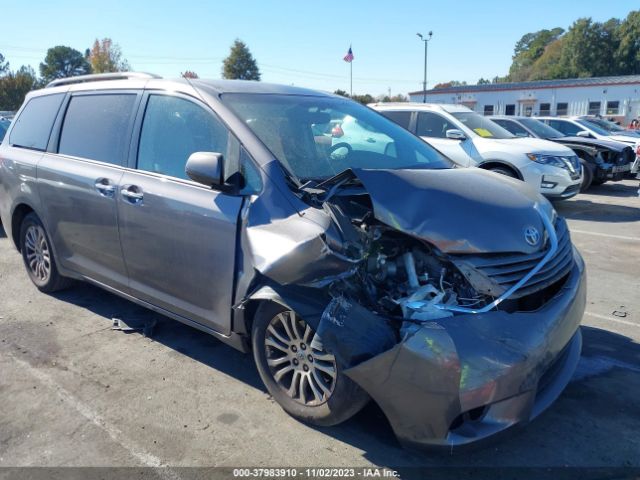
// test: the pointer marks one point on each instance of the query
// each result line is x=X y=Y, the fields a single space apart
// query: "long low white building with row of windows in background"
x=612 y=97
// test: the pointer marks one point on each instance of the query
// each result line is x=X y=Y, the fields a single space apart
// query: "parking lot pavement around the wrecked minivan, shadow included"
x=74 y=392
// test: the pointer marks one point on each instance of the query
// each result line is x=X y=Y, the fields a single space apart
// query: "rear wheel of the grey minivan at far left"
x=37 y=255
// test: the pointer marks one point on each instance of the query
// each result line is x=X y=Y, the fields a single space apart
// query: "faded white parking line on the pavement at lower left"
x=146 y=458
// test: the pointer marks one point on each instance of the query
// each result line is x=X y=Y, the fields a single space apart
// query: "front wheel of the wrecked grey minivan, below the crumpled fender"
x=298 y=372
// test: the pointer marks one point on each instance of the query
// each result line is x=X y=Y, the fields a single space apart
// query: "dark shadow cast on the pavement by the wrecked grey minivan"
x=571 y=433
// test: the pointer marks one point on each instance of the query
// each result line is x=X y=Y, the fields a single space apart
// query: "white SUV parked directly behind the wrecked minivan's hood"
x=471 y=140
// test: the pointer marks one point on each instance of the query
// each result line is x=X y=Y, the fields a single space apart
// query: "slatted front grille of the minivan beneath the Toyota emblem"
x=494 y=274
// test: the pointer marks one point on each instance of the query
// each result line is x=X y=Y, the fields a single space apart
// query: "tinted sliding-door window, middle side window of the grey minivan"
x=96 y=127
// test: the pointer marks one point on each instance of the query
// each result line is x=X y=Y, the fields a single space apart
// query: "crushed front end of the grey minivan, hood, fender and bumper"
x=415 y=296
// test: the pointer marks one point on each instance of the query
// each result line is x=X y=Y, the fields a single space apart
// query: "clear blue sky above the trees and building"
x=299 y=42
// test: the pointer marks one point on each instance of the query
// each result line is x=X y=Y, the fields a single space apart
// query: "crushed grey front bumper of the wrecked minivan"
x=468 y=377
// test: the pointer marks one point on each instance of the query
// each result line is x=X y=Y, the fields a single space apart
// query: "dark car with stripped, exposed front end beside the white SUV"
x=601 y=160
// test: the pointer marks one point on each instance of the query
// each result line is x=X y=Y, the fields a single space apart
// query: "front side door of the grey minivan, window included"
x=179 y=237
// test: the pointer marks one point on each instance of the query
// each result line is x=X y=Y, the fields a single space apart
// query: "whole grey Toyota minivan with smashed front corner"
x=452 y=297
